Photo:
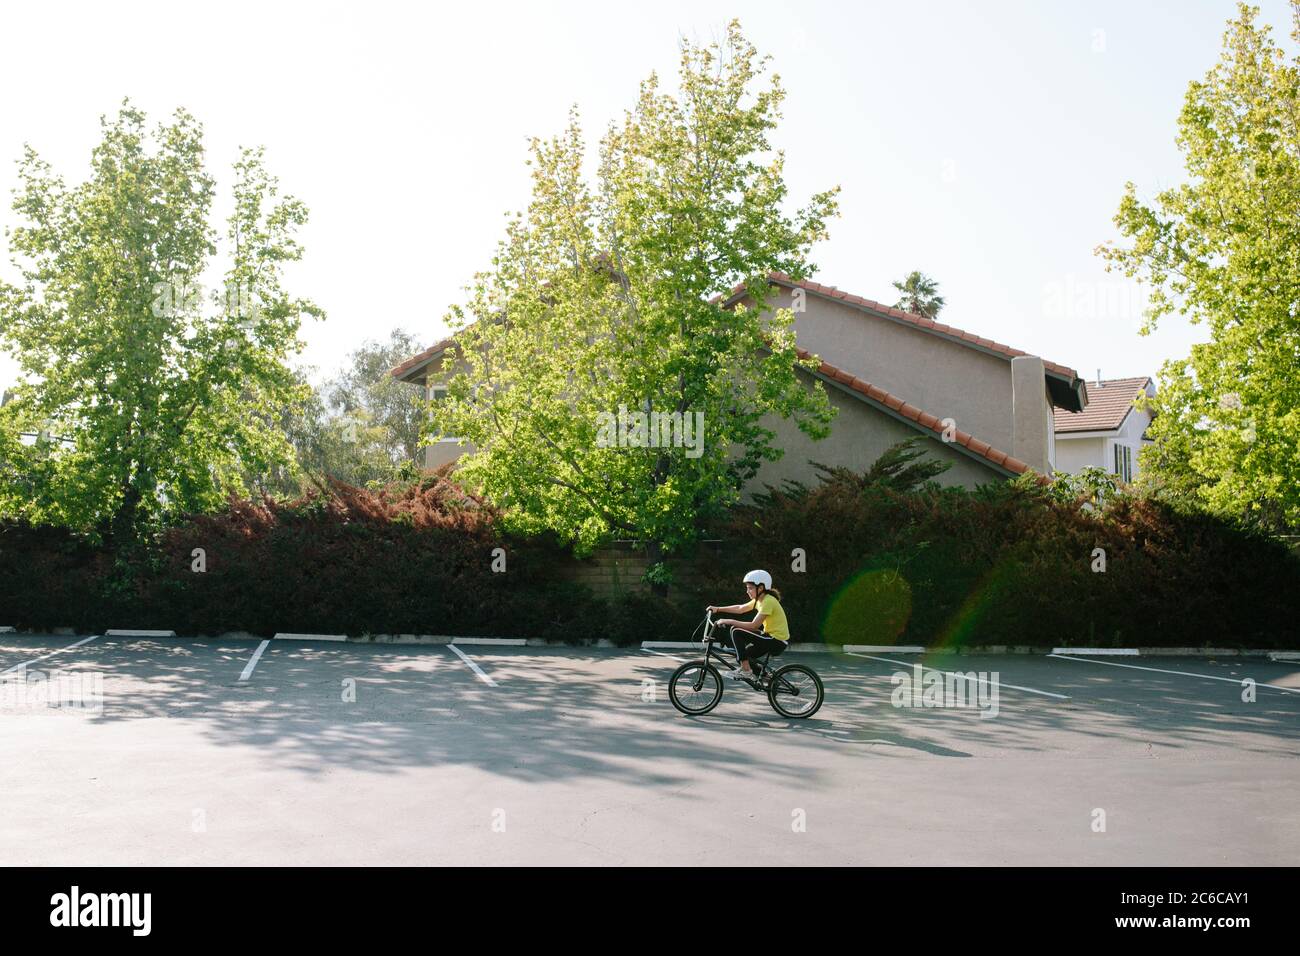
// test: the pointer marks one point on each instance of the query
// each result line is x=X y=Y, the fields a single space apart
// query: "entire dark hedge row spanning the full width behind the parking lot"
x=1003 y=565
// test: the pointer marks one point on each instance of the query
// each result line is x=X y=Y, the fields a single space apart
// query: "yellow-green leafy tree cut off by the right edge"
x=1224 y=249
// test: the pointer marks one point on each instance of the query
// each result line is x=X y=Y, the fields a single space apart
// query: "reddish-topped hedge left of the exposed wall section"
x=413 y=561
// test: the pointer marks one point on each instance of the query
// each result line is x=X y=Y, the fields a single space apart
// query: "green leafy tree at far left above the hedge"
x=163 y=399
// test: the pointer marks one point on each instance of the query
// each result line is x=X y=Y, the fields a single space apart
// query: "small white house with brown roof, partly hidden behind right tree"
x=1110 y=432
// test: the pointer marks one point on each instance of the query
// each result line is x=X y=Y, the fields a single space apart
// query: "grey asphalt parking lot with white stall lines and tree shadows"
x=343 y=754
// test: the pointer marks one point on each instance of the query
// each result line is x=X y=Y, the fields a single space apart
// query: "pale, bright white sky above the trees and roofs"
x=983 y=144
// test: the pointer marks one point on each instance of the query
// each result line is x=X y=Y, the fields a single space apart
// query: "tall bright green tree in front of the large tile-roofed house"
x=604 y=383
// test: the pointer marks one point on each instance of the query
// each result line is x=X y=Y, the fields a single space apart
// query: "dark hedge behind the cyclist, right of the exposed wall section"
x=1008 y=565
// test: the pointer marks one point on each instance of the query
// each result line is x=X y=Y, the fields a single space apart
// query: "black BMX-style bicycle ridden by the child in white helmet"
x=795 y=691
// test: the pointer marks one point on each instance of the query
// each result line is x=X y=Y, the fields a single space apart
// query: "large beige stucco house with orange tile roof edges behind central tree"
x=985 y=408
